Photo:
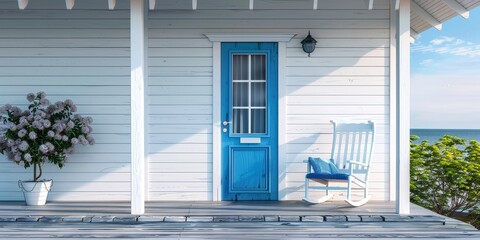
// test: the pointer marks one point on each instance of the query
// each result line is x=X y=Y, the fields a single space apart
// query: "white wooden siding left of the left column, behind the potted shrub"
x=82 y=55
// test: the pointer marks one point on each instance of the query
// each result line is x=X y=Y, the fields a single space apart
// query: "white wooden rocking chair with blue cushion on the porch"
x=349 y=163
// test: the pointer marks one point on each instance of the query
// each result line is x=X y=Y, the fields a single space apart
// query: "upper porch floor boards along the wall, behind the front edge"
x=298 y=208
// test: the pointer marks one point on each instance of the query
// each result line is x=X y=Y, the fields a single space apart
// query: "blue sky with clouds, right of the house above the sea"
x=445 y=75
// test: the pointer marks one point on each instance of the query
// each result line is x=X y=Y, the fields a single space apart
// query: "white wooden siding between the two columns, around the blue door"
x=347 y=77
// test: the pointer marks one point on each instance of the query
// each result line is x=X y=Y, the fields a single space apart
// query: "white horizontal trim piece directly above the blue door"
x=249 y=37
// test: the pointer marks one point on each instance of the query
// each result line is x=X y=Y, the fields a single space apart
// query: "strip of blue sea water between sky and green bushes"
x=433 y=135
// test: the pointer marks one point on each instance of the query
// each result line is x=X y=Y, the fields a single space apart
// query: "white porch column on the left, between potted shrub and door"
x=137 y=49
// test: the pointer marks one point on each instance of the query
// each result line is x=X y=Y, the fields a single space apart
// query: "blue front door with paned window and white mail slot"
x=249 y=121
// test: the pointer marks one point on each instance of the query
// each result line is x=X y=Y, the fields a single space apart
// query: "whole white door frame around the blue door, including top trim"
x=217 y=39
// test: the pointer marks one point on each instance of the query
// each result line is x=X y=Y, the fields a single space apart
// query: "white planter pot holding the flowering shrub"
x=35 y=193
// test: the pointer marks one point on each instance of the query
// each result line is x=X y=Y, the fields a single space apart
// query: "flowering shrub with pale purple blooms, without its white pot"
x=43 y=133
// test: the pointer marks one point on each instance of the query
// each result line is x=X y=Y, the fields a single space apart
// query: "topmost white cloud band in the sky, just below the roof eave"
x=449 y=45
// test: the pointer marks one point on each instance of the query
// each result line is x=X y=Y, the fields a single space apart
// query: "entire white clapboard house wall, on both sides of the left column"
x=83 y=54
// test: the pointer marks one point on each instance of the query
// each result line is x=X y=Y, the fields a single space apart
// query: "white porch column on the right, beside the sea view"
x=403 y=108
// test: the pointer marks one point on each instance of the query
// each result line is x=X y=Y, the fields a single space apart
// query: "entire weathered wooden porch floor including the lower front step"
x=225 y=220
